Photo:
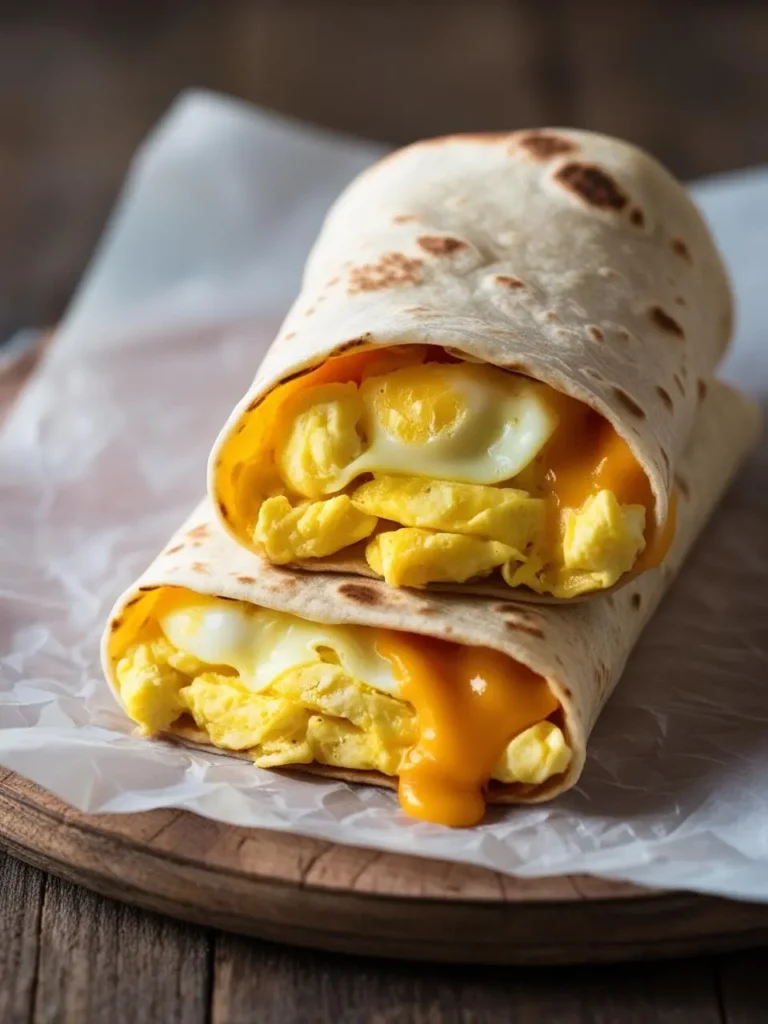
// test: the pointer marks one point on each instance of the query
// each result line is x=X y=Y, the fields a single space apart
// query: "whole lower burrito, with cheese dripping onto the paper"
x=456 y=699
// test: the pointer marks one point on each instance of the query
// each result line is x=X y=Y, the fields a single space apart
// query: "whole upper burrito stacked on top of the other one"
x=490 y=375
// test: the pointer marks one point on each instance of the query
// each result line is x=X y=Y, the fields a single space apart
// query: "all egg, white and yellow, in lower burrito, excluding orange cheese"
x=291 y=692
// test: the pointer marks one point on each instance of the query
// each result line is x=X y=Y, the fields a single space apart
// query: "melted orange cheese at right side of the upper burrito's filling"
x=585 y=456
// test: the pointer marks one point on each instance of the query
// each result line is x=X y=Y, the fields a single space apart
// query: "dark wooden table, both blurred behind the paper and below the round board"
x=80 y=86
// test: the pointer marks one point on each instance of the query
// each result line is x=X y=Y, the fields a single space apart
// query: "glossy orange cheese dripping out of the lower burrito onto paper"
x=471 y=703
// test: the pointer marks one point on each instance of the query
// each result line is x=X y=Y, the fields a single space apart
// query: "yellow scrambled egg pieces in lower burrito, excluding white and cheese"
x=311 y=713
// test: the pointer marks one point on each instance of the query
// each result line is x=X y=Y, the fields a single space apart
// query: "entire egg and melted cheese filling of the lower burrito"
x=443 y=717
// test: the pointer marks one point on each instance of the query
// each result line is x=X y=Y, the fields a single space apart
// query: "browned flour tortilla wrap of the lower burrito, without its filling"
x=581 y=651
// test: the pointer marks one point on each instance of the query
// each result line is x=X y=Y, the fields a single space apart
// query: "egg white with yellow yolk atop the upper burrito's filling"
x=462 y=422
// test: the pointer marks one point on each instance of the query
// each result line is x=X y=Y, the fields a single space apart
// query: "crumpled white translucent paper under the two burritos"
x=105 y=454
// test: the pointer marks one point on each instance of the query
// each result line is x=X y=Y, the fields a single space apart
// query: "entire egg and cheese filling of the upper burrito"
x=445 y=472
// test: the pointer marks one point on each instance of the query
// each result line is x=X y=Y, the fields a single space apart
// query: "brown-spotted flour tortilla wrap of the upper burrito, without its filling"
x=567 y=257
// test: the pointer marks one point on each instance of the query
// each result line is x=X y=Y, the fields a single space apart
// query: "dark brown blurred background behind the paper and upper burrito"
x=82 y=81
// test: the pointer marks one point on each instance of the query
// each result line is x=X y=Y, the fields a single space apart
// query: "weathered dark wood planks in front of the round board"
x=102 y=962
